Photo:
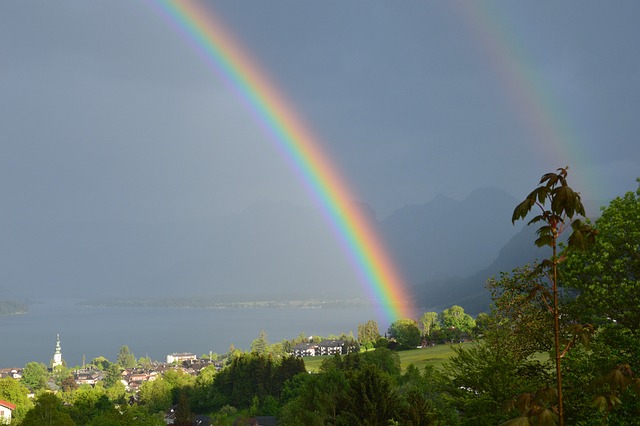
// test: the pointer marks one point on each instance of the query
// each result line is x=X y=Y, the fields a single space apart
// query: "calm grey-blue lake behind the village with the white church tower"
x=156 y=332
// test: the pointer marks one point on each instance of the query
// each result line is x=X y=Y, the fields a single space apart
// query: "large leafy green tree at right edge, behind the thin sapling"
x=606 y=279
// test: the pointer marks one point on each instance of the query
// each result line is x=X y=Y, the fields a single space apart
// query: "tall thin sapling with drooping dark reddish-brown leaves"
x=563 y=204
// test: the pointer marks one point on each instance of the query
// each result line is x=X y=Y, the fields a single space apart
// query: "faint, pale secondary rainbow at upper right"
x=533 y=101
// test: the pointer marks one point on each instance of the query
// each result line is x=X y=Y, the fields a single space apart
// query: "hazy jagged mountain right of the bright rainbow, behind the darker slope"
x=445 y=238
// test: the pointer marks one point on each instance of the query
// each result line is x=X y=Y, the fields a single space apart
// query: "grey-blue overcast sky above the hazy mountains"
x=108 y=114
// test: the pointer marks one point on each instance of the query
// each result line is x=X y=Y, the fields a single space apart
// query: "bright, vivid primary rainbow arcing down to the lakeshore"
x=227 y=58
